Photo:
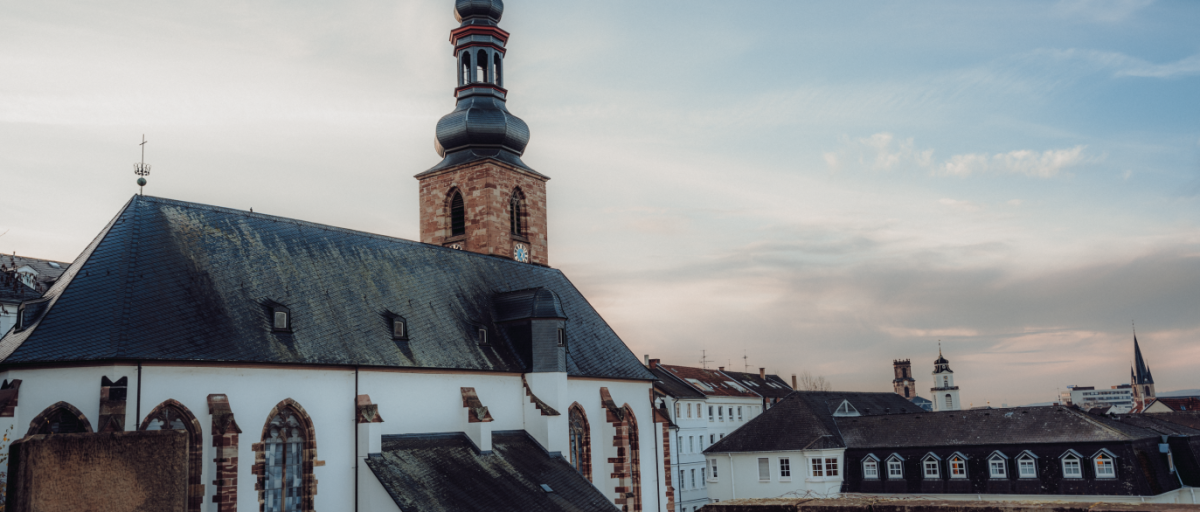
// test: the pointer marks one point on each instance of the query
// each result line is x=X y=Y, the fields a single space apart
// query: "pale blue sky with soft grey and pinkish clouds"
x=813 y=188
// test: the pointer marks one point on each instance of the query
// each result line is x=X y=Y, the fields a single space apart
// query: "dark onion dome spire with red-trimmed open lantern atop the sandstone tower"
x=481 y=127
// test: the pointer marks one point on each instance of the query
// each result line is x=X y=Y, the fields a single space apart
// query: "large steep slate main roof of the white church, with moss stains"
x=177 y=281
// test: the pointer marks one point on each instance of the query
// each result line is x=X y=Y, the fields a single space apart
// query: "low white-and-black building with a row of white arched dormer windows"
x=1028 y=454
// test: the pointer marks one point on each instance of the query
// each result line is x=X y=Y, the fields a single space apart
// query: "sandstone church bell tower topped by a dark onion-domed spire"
x=482 y=197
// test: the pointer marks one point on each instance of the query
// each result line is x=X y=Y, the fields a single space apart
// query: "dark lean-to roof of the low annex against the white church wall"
x=446 y=473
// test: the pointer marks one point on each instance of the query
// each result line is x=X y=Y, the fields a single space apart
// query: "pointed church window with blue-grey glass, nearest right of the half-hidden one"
x=286 y=460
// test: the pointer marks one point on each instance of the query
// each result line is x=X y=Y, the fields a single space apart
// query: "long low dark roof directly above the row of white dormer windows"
x=985 y=427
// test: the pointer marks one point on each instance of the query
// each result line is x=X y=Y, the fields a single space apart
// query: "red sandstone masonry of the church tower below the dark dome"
x=487 y=189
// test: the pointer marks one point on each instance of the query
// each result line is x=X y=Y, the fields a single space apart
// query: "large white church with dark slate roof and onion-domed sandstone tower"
x=320 y=369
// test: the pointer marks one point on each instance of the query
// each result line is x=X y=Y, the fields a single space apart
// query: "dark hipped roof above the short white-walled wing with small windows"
x=797 y=423
